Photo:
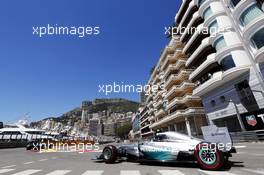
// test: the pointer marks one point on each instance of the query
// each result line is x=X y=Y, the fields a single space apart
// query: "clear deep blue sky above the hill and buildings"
x=50 y=75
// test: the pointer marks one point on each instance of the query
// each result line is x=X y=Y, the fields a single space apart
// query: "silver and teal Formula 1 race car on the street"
x=171 y=147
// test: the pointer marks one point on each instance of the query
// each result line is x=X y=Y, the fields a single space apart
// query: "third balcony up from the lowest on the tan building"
x=180 y=90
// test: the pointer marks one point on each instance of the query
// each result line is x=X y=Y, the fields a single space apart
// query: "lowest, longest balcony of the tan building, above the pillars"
x=176 y=115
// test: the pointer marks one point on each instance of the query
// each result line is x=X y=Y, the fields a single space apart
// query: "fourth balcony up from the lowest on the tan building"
x=178 y=78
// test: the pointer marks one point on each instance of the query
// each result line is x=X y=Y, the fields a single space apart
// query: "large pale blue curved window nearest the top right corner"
x=250 y=14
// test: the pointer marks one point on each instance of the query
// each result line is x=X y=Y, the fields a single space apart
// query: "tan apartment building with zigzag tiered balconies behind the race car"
x=172 y=107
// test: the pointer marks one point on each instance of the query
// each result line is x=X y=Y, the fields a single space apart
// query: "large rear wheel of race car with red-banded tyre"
x=208 y=156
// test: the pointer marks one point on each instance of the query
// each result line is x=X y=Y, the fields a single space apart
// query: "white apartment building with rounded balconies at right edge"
x=227 y=59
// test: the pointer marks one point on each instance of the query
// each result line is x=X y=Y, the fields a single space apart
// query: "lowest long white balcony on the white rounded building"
x=219 y=79
